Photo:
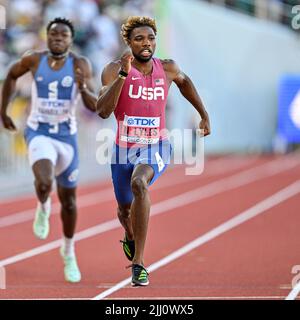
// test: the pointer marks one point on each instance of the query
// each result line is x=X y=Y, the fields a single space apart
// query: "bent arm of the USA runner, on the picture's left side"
x=111 y=89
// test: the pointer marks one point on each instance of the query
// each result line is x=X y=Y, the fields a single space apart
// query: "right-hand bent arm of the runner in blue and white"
x=83 y=74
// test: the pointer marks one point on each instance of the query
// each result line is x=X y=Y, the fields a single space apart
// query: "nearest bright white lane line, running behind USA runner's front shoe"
x=250 y=213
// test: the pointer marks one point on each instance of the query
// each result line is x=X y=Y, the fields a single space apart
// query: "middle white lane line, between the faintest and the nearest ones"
x=214 y=188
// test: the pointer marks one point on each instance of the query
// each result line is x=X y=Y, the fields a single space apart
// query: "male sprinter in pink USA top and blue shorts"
x=135 y=89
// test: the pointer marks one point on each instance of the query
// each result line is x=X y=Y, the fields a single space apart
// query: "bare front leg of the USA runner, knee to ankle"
x=140 y=208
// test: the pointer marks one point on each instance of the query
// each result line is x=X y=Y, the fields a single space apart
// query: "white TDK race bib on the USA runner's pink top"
x=140 y=130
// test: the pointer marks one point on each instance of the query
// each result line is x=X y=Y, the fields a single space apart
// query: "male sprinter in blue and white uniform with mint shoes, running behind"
x=59 y=75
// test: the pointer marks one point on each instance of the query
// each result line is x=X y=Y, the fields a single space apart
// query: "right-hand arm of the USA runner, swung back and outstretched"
x=188 y=90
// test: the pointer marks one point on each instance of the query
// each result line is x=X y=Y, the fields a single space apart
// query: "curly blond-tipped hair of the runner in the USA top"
x=135 y=22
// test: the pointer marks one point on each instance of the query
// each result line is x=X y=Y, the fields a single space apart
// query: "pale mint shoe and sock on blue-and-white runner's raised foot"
x=41 y=221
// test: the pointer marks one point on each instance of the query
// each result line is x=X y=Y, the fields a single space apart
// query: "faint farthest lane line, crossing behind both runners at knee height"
x=107 y=194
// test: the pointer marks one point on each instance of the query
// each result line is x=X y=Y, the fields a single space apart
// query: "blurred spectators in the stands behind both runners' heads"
x=96 y=22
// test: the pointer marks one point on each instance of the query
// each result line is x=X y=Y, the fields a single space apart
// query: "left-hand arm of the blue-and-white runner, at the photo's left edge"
x=15 y=71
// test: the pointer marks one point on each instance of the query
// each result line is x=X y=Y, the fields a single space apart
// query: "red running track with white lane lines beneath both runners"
x=250 y=259
